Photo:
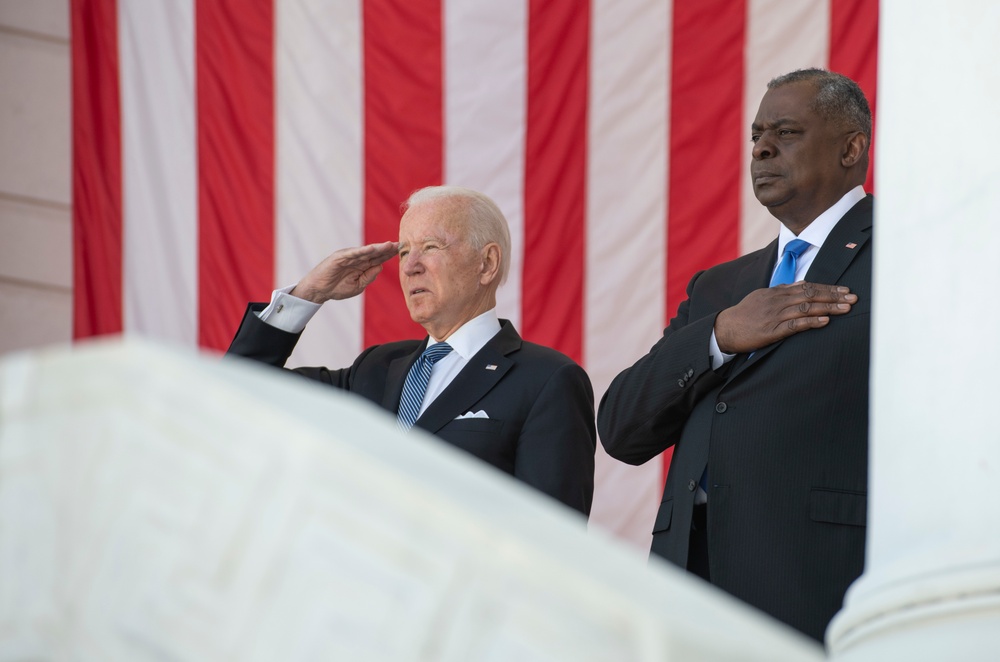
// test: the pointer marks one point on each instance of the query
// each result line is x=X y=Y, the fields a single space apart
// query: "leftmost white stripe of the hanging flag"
x=159 y=170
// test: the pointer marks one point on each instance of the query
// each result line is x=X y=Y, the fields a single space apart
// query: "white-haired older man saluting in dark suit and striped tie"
x=526 y=409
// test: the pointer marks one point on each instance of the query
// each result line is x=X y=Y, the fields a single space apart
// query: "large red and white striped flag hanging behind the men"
x=223 y=147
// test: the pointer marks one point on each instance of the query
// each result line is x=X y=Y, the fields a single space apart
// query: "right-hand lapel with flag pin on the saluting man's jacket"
x=482 y=373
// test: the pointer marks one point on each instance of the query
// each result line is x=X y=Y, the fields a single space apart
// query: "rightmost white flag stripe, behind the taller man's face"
x=781 y=37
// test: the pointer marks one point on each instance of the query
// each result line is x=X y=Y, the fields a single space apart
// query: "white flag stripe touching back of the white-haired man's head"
x=484 y=117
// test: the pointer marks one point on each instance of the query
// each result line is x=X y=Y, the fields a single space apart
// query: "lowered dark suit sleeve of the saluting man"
x=555 y=451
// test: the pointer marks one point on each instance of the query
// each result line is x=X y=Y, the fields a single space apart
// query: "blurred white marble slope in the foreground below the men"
x=252 y=529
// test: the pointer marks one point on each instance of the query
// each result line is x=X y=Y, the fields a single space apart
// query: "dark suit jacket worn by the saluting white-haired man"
x=540 y=403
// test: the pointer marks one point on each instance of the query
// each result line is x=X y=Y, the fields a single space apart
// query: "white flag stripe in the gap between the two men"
x=626 y=212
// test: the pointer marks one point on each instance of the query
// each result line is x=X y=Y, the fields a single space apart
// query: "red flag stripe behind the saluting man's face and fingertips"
x=404 y=138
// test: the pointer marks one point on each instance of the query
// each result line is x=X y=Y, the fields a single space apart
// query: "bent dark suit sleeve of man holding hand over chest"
x=647 y=405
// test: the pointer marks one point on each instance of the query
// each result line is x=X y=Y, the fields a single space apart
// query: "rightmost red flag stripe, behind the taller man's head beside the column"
x=854 y=53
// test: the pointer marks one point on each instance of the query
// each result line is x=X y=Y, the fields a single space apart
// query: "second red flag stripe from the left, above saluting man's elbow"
x=235 y=87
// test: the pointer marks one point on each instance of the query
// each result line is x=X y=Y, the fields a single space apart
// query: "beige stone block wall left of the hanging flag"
x=35 y=174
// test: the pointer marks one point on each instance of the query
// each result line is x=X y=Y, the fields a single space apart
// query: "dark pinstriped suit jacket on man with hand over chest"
x=784 y=435
